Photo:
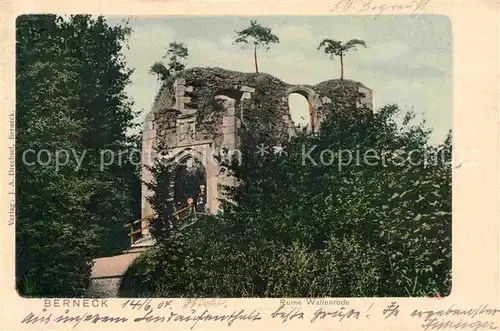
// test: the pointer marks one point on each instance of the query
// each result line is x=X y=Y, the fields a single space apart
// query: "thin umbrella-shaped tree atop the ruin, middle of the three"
x=258 y=36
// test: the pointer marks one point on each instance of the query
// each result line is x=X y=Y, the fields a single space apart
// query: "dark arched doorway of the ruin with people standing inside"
x=190 y=182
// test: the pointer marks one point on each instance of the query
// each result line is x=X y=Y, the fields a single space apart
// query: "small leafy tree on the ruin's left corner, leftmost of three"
x=177 y=54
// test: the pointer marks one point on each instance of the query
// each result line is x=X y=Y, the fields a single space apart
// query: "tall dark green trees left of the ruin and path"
x=69 y=85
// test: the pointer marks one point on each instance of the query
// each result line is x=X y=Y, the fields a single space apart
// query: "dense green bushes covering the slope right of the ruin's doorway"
x=309 y=225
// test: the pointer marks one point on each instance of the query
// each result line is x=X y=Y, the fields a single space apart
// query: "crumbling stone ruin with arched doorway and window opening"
x=205 y=111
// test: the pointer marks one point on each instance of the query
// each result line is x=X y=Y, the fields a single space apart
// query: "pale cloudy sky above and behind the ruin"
x=408 y=60
